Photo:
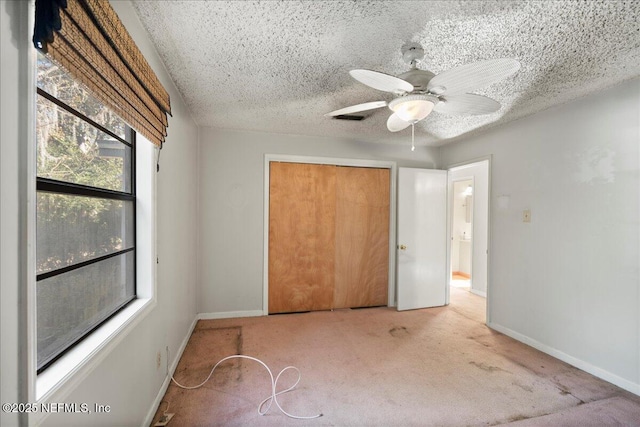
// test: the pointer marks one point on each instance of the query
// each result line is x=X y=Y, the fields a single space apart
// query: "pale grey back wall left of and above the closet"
x=232 y=198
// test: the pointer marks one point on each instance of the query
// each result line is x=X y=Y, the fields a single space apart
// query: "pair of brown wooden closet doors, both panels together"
x=328 y=237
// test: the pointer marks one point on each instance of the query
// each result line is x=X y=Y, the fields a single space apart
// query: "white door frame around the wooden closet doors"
x=378 y=164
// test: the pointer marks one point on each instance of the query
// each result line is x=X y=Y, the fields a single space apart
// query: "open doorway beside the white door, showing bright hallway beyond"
x=468 y=203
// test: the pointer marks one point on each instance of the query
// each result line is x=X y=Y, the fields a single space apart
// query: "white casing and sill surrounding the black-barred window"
x=66 y=374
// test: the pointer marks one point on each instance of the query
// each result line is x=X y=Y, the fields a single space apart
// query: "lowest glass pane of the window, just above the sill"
x=71 y=304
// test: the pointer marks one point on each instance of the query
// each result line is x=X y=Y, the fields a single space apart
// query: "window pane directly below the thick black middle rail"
x=71 y=229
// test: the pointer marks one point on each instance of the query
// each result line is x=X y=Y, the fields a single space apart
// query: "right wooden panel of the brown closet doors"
x=362 y=237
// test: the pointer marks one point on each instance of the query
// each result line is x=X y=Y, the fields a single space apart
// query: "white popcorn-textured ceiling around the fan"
x=279 y=66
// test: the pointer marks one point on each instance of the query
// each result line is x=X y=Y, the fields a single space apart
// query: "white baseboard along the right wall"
x=574 y=361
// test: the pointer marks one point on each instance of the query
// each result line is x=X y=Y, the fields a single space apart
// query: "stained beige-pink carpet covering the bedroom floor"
x=380 y=367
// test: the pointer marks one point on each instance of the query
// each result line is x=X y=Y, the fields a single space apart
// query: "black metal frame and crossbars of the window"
x=52 y=186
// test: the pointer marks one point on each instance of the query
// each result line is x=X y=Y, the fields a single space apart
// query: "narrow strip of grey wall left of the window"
x=13 y=39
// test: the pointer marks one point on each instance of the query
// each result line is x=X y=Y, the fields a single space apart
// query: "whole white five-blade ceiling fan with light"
x=419 y=92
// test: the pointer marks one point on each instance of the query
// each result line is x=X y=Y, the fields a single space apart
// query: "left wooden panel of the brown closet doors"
x=301 y=237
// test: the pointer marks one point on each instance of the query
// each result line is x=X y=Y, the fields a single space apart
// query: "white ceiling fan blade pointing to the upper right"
x=470 y=77
